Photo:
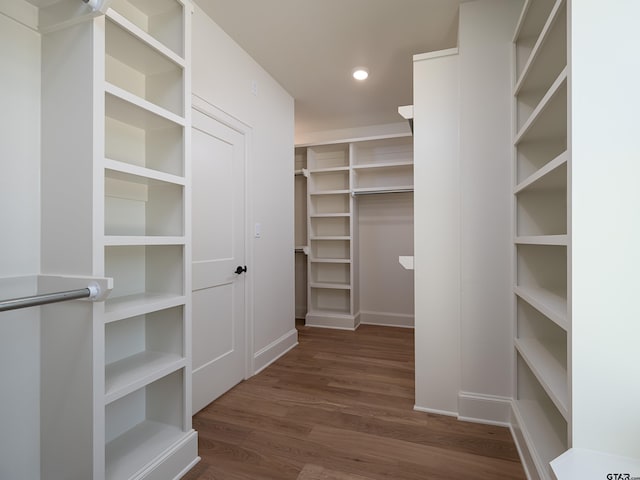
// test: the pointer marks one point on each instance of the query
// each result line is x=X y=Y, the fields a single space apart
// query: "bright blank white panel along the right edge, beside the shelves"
x=605 y=227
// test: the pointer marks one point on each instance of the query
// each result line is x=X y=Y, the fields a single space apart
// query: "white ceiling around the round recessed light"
x=311 y=46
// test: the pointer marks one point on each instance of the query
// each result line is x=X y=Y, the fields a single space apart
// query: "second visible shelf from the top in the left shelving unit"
x=140 y=112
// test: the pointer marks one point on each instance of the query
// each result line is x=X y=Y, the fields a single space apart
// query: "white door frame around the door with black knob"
x=203 y=106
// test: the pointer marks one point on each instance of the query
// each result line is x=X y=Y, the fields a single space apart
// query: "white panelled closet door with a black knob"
x=218 y=250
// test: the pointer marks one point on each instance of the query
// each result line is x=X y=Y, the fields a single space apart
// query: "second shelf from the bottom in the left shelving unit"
x=130 y=374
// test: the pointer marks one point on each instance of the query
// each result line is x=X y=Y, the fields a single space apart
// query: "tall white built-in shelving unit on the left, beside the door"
x=136 y=230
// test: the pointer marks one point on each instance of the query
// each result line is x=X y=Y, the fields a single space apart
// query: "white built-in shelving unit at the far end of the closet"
x=335 y=175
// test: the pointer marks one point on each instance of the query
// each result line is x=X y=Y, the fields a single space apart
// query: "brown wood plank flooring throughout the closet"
x=340 y=407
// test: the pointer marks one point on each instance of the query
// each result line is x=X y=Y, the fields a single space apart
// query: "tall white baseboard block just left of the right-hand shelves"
x=481 y=408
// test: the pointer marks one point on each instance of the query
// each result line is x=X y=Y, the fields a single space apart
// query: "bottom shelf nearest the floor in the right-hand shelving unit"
x=540 y=434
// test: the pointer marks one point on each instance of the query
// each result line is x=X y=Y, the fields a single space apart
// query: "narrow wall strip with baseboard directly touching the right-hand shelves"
x=485 y=50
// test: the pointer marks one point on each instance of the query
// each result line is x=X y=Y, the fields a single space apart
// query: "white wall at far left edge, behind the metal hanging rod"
x=19 y=247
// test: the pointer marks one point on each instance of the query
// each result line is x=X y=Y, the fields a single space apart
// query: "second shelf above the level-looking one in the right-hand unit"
x=548 y=119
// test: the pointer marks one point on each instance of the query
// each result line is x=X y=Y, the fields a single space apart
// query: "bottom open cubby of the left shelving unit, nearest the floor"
x=144 y=424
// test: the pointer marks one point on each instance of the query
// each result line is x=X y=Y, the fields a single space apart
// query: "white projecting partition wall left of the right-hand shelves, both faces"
x=462 y=110
